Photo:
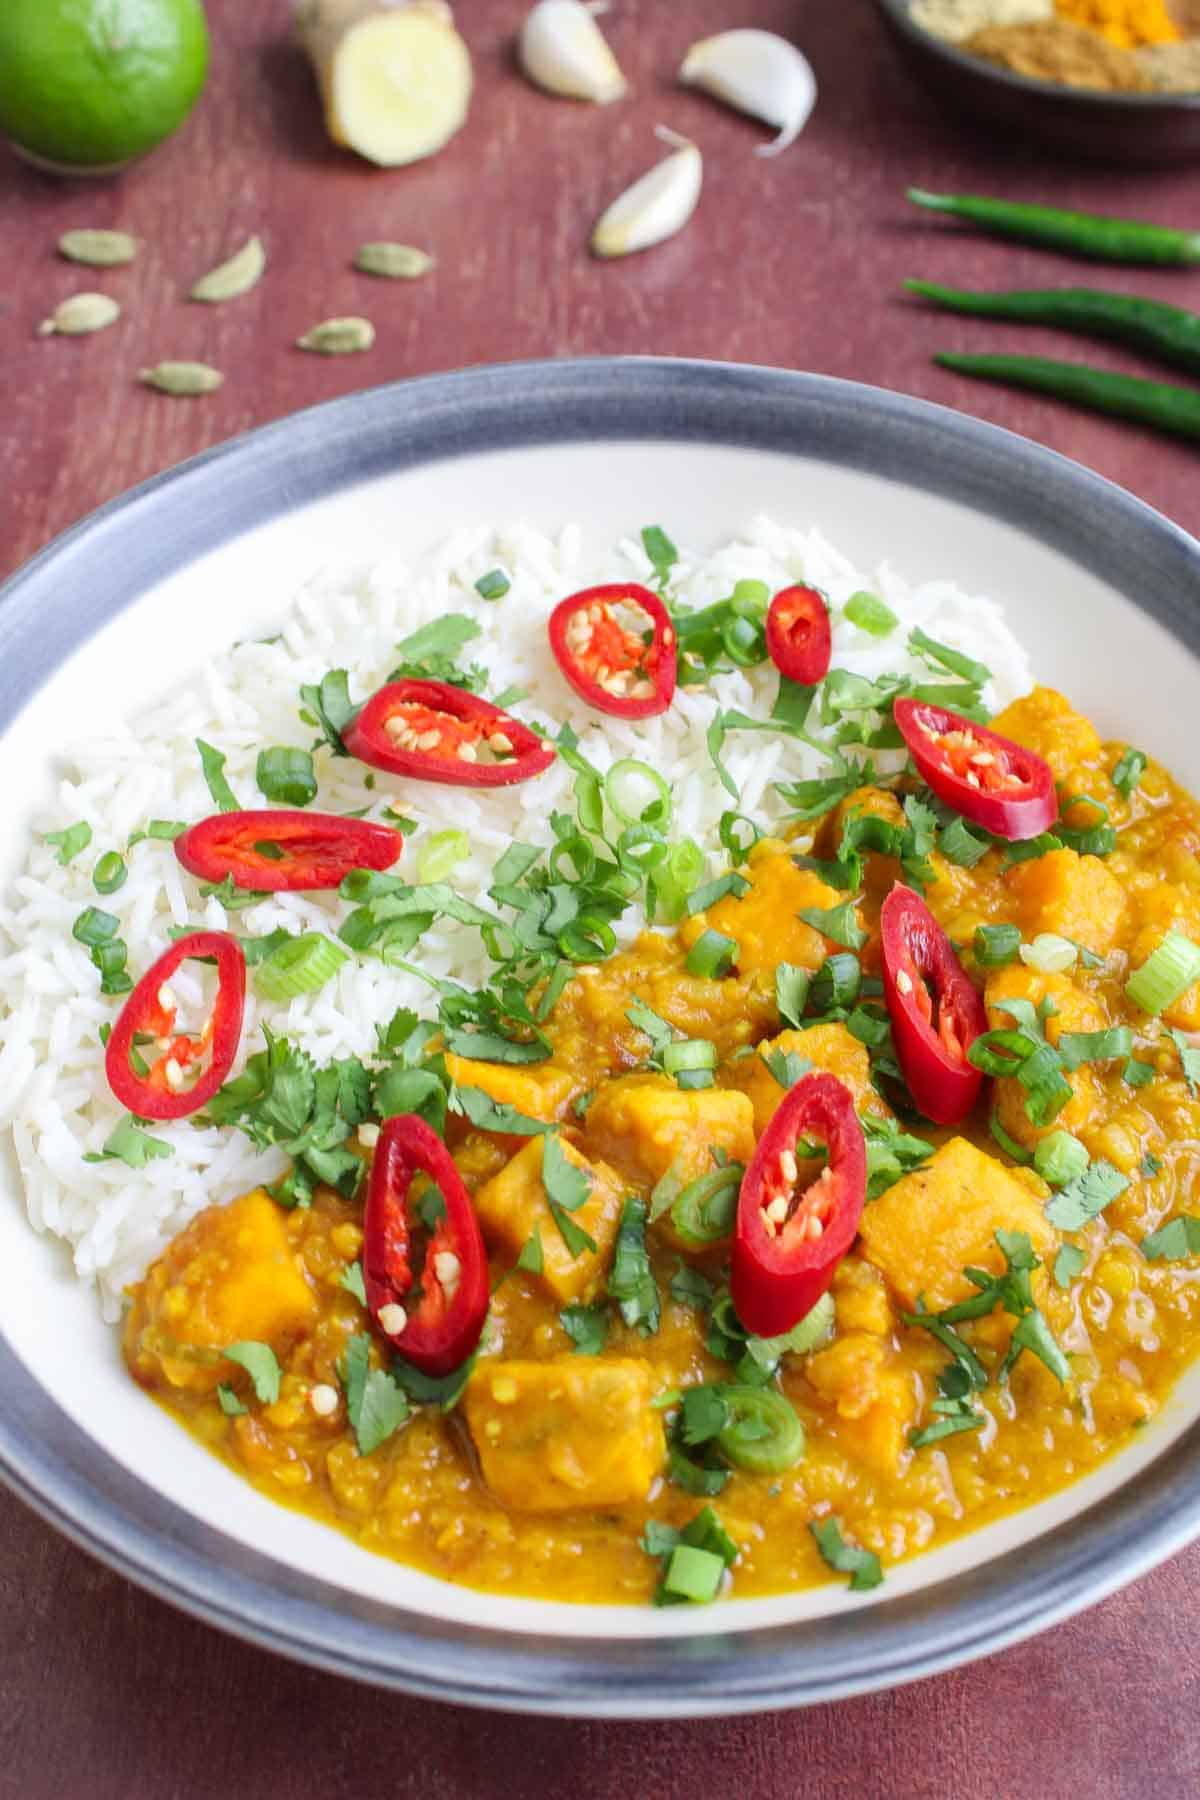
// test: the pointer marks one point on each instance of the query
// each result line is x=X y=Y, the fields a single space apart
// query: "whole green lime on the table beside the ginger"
x=89 y=85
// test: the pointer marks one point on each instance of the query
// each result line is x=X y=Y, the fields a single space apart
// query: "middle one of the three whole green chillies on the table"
x=1151 y=327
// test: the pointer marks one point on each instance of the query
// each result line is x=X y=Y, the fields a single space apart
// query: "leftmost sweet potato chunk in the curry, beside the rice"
x=231 y=1275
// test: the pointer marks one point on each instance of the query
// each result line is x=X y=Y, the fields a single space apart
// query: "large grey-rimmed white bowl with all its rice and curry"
x=611 y=1104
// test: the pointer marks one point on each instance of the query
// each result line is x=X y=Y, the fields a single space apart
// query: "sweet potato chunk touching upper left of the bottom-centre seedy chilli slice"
x=647 y=1126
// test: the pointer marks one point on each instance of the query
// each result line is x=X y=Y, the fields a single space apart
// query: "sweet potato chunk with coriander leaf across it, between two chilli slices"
x=515 y=1203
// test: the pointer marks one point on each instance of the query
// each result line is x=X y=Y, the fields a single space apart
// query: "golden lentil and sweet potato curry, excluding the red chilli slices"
x=569 y=1435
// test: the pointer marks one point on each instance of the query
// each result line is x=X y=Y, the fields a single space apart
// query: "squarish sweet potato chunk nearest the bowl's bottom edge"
x=578 y=1432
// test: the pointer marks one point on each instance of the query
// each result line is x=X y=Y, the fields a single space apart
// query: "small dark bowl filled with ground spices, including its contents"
x=1113 y=80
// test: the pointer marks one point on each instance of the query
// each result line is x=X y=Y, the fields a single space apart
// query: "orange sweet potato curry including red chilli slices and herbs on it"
x=929 y=1324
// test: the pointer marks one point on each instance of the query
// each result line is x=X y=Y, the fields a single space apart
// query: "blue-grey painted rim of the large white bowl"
x=89 y=1497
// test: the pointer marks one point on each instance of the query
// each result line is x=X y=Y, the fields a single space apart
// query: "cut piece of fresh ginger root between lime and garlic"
x=395 y=75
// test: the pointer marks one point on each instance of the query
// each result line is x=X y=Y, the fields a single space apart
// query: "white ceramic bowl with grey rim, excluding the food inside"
x=1106 y=597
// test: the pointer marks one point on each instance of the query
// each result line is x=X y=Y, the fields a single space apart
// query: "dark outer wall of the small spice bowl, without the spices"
x=1120 y=129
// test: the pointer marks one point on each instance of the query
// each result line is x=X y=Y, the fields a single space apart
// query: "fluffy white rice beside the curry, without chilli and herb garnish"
x=53 y=1090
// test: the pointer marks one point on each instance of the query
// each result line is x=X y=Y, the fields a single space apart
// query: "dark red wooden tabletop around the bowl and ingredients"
x=794 y=262
